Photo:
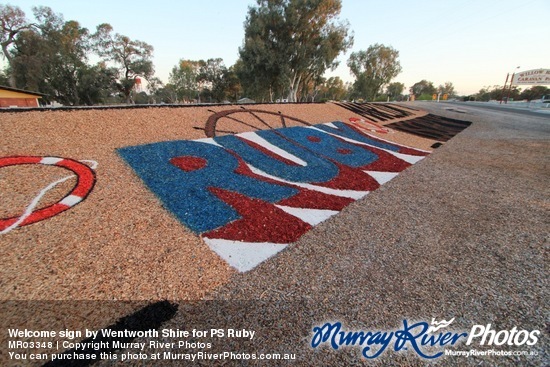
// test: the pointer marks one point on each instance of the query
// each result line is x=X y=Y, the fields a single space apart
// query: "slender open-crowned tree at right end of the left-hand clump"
x=133 y=58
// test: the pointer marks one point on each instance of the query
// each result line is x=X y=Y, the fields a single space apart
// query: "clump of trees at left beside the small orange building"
x=52 y=56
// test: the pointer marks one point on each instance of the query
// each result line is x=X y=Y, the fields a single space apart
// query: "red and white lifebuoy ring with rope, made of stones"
x=85 y=180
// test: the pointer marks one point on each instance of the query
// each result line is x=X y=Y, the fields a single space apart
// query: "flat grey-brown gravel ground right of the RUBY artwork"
x=462 y=234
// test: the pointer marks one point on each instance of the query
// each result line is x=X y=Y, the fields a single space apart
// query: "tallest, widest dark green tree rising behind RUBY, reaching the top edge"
x=289 y=43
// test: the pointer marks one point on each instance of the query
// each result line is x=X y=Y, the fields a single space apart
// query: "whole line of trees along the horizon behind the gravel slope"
x=288 y=47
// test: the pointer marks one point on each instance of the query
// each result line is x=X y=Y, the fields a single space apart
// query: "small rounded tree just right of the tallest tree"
x=373 y=68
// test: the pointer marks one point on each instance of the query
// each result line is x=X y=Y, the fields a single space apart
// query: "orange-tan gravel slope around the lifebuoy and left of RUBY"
x=119 y=244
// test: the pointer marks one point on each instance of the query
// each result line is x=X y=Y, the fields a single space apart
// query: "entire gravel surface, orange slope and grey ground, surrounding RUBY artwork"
x=463 y=233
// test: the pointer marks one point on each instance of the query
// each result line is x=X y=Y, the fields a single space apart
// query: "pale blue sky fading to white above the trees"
x=470 y=43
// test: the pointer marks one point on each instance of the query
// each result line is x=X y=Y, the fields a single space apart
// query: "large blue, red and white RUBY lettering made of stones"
x=249 y=195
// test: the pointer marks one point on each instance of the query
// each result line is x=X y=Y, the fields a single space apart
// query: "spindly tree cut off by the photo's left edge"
x=12 y=22
